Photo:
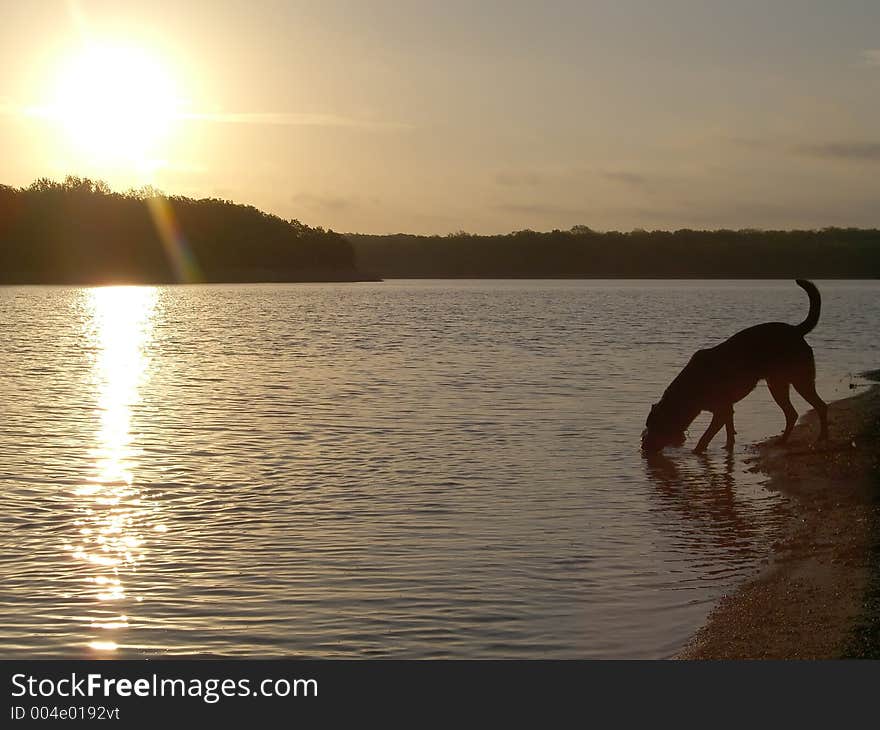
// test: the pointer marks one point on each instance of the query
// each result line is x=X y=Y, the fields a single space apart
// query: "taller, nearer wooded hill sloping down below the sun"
x=81 y=232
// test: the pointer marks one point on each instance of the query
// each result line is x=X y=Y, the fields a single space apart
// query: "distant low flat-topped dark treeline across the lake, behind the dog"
x=585 y=253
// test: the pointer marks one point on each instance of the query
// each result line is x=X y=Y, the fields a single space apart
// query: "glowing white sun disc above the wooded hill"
x=115 y=105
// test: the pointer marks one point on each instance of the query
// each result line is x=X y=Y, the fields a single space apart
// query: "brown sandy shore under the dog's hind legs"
x=814 y=599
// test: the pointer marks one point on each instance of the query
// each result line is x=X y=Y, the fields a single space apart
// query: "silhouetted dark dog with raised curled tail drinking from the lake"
x=716 y=378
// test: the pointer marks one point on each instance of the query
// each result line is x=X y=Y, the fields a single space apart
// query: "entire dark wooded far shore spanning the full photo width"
x=81 y=232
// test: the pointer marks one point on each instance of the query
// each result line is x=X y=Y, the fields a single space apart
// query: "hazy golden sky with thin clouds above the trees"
x=382 y=116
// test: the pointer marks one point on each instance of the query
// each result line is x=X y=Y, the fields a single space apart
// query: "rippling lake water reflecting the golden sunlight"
x=407 y=469
